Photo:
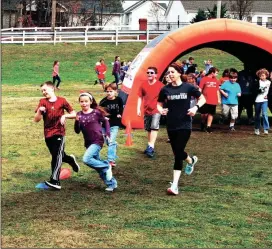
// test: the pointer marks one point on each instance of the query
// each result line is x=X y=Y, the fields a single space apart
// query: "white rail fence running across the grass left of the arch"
x=84 y=34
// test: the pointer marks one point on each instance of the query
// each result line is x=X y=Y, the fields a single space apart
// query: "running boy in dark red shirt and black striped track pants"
x=51 y=110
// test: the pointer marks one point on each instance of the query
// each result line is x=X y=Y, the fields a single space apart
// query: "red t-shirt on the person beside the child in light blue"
x=210 y=87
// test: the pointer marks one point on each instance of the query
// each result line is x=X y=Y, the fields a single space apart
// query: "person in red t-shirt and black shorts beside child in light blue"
x=209 y=86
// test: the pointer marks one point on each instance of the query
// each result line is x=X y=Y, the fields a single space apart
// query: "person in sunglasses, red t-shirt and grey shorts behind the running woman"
x=148 y=94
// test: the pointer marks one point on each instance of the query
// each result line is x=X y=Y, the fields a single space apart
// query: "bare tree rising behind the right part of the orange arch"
x=241 y=9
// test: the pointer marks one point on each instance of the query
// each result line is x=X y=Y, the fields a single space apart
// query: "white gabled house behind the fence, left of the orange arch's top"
x=153 y=11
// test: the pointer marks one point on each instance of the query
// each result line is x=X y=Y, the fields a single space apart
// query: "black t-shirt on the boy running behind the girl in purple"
x=113 y=107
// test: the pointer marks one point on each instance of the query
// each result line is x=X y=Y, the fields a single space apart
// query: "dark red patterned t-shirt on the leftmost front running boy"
x=51 y=118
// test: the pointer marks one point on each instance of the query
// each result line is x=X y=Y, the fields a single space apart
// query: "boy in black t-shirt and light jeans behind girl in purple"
x=114 y=106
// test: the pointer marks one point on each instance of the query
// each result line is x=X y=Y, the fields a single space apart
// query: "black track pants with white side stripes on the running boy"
x=55 y=145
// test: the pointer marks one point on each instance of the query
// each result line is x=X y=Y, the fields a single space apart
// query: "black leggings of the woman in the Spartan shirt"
x=178 y=141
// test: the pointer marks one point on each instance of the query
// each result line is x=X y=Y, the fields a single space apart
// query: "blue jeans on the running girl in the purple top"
x=92 y=159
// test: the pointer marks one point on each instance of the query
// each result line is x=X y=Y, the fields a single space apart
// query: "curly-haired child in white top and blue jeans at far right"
x=261 y=101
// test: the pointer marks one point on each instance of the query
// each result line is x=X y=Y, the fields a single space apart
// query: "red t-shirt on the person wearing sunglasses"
x=149 y=94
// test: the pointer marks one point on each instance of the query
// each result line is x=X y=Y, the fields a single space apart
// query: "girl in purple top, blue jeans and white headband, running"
x=88 y=121
